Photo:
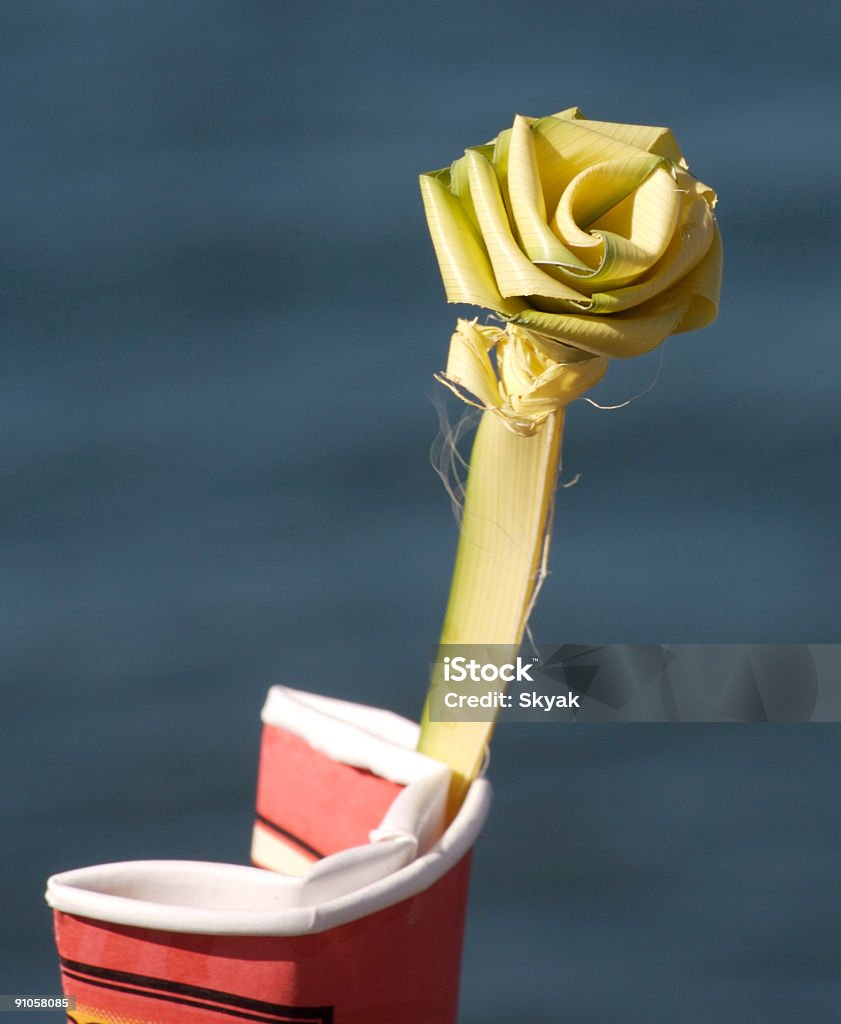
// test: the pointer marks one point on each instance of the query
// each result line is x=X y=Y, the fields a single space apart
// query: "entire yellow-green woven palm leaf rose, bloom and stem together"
x=587 y=241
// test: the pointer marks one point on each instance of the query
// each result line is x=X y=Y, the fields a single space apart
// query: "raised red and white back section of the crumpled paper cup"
x=335 y=776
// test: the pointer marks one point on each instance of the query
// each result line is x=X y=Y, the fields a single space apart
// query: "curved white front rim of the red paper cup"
x=203 y=899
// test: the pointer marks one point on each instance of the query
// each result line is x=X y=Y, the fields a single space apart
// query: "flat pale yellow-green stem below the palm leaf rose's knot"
x=502 y=547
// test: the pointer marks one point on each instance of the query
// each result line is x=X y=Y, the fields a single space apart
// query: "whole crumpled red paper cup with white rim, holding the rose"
x=369 y=932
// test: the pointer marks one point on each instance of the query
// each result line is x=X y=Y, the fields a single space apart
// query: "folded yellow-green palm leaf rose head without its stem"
x=592 y=236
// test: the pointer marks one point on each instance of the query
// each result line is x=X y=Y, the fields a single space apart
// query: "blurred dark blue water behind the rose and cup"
x=221 y=320
